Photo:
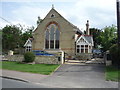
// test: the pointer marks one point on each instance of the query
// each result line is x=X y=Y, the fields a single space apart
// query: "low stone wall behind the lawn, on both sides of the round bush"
x=38 y=59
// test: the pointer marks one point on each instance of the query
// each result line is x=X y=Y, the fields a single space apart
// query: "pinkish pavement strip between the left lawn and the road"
x=30 y=77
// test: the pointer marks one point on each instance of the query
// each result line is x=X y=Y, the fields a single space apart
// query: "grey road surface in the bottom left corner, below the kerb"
x=9 y=83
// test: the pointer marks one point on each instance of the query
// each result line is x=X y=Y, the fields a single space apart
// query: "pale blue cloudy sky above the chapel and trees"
x=100 y=13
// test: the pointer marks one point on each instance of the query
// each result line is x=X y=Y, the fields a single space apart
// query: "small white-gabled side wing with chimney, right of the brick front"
x=84 y=43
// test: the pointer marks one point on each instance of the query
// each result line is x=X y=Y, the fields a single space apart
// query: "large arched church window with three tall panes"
x=52 y=37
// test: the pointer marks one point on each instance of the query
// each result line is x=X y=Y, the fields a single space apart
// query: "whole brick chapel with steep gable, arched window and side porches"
x=55 y=34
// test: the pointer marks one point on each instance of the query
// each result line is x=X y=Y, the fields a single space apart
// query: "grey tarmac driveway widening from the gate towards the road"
x=79 y=76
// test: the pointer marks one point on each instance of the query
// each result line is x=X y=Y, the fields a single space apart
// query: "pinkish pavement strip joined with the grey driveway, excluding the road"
x=68 y=76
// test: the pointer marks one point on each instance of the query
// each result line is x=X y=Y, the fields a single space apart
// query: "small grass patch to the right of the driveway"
x=112 y=73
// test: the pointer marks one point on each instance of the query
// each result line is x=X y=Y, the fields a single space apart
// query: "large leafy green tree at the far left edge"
x=11 y=37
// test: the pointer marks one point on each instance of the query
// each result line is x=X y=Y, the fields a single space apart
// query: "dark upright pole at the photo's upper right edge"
x=118 y=22
